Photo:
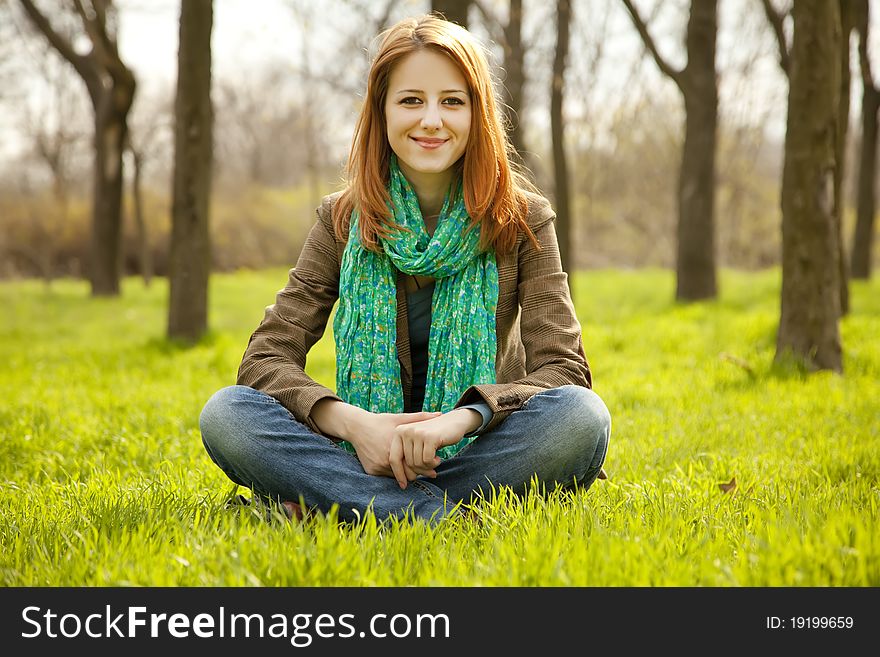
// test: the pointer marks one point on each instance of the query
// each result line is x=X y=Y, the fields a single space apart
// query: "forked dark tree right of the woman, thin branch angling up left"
x=695 y=257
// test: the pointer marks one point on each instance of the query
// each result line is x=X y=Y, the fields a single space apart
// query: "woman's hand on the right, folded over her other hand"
x=415 y=444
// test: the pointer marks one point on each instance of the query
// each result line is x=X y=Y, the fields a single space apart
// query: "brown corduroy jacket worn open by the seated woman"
x=539 y=337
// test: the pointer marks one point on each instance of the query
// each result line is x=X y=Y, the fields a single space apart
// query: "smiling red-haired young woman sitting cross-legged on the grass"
x=459 y=359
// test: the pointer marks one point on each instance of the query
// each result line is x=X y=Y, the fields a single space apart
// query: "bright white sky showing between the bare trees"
x=248 y=33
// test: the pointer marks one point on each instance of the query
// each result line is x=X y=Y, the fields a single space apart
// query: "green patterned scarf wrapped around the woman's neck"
x=461 y=346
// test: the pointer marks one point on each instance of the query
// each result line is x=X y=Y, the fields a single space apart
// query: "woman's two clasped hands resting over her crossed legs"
x=404 y=445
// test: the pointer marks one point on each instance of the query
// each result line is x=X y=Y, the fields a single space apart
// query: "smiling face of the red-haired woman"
x=427 y=113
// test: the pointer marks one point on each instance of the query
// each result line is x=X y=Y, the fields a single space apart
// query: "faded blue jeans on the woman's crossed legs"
x=559 y=436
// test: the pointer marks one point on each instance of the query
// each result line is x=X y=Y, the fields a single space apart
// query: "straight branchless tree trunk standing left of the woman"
x=190 y=255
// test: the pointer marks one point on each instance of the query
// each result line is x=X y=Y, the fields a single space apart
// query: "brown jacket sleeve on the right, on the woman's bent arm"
x=550 y=331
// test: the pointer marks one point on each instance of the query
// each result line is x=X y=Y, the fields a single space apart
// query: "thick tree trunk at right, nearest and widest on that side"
x=810 y=299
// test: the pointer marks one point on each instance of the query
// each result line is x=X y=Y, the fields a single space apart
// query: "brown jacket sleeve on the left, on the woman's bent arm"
x=275 y=359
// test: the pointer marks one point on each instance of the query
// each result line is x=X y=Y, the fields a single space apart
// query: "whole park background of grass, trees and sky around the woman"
x=743 y=386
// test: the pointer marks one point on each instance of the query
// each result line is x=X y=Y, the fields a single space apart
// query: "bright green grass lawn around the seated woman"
x=104 y=481
